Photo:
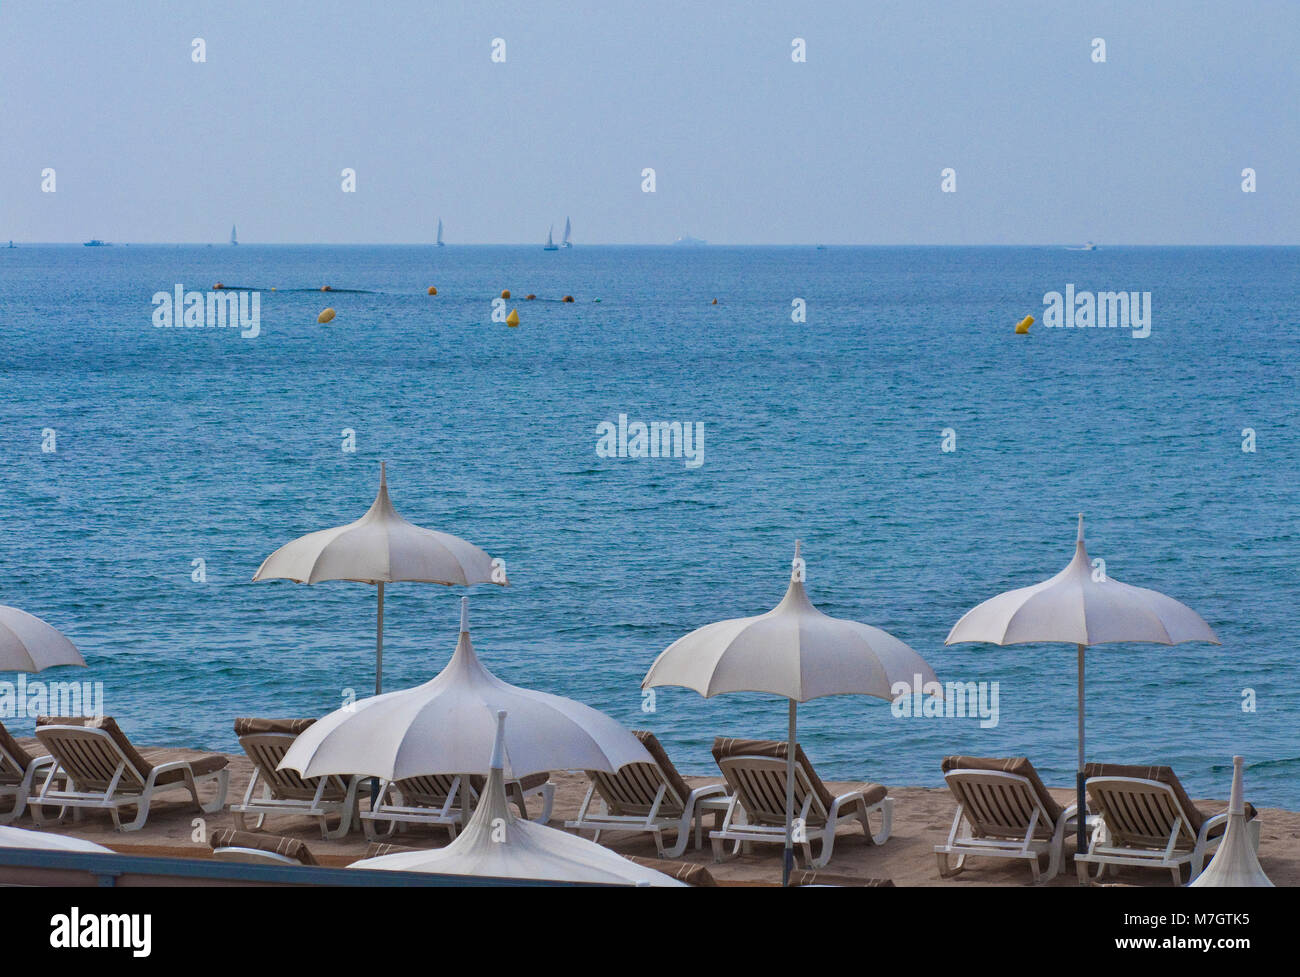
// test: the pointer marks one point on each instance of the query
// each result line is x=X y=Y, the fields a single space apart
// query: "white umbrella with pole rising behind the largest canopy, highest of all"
x=382 y=548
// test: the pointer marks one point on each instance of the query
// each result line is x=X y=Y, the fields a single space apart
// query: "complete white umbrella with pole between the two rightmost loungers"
x=1081 y=606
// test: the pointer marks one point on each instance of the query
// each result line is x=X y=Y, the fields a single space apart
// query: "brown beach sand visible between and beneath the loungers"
x=922 y=820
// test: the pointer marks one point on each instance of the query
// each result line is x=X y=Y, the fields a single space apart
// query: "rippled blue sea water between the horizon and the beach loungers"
x=183 y=445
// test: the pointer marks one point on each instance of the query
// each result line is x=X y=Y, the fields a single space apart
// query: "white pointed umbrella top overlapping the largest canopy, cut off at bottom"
x=499 y=845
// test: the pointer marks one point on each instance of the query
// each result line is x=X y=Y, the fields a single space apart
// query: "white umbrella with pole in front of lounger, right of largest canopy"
x=795 y=652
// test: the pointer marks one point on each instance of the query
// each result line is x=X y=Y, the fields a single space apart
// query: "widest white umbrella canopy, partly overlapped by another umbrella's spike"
x=448 y=726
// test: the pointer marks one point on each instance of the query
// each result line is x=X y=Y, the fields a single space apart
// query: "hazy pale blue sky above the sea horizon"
x=748 y=146
